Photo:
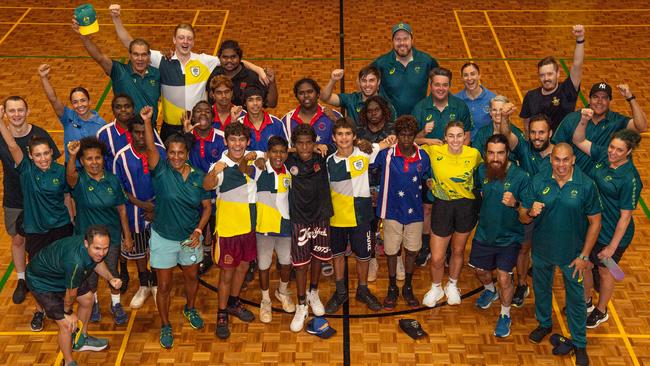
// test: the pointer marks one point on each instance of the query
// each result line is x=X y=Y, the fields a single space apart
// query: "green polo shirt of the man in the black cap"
x=599 y=134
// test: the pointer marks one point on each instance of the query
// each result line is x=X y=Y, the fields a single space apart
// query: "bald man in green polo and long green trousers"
x=565 y=206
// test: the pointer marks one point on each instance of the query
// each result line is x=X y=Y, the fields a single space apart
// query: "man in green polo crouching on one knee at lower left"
x=57 y=277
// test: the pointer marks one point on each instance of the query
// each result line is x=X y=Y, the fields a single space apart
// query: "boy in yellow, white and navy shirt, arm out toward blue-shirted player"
x=350 y=190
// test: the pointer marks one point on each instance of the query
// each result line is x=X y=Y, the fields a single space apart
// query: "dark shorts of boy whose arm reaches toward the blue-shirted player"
x=359 y=237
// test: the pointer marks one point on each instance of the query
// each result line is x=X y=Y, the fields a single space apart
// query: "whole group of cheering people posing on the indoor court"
x=223 y=173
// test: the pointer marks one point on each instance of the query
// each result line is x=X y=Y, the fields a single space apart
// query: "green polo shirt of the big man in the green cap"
x=405 y=85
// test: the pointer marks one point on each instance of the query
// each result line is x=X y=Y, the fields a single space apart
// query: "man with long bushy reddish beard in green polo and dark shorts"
x=499 y=232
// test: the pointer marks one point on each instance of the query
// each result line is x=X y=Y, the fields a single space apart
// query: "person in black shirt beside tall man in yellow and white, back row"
x=230 y=55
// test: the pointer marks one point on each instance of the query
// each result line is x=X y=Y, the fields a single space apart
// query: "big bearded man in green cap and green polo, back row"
x=404 y=70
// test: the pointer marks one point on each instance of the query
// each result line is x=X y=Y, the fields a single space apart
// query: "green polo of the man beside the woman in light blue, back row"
x=425 y=111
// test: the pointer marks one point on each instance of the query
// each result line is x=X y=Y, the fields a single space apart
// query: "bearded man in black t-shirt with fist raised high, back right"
x=553 y=98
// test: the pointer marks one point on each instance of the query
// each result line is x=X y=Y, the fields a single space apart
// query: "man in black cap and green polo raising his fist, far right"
x=603 y=123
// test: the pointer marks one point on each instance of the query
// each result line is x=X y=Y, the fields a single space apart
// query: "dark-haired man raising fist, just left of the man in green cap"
x=369 y=81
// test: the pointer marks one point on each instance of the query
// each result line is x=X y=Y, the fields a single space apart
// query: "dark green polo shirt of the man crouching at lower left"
x=62 y=265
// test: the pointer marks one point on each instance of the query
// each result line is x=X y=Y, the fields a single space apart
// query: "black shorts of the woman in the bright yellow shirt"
x=448 y=217
